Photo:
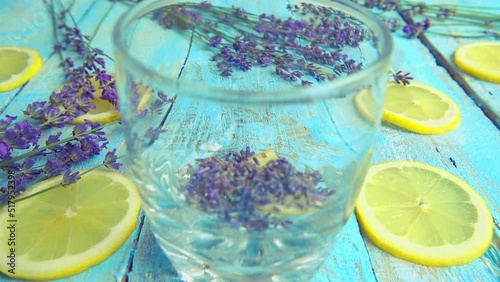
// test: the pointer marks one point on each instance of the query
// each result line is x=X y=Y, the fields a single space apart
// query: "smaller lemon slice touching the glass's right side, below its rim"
x=420 y=108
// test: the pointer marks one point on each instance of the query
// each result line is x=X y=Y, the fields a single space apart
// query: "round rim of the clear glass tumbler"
x=315 y=92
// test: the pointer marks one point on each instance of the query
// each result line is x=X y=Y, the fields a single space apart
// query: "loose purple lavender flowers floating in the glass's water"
x=238 y=189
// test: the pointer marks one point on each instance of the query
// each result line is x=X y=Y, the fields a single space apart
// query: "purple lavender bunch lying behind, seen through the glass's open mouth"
x=309 y=45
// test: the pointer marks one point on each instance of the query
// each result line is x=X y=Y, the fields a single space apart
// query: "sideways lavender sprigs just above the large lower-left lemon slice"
x=25 y=158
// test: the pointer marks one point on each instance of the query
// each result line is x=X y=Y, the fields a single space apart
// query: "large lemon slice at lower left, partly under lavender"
x=68 y=229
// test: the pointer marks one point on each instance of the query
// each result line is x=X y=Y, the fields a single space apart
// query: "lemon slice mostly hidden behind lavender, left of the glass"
x=104 y=111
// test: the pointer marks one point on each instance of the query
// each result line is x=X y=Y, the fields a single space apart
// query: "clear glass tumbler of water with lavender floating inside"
x=249 y=127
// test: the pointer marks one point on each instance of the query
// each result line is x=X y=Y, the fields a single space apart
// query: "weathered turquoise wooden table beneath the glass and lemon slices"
x=471 y=152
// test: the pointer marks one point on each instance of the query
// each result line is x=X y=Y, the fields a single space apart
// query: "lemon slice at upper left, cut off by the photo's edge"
x=19 y=64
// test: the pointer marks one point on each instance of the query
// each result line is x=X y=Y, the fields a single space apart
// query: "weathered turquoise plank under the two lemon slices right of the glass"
x=465 y=152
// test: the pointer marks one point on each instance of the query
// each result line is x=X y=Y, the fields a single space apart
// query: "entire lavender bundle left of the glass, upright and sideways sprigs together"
x=33 y=149
